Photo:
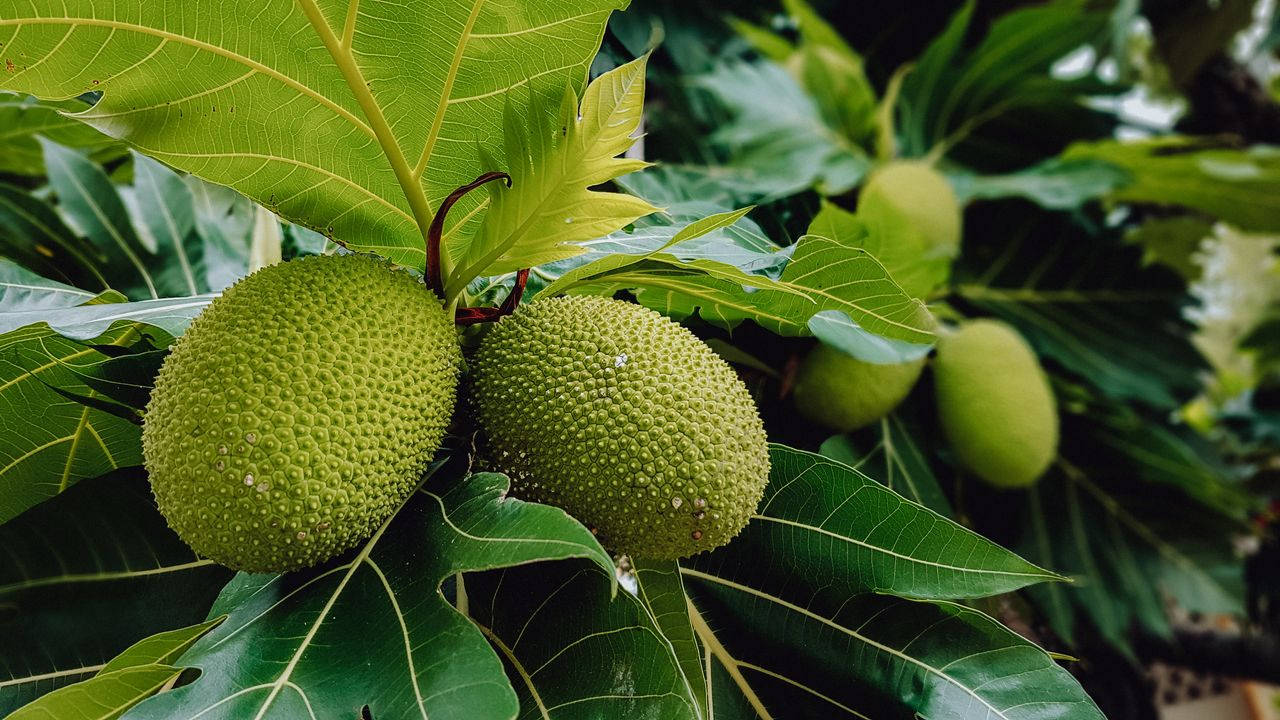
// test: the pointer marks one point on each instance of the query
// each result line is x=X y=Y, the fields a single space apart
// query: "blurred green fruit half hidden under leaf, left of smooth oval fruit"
x=845 y=394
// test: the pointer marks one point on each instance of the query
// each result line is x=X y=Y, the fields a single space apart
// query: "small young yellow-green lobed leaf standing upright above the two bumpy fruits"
x=550 y=208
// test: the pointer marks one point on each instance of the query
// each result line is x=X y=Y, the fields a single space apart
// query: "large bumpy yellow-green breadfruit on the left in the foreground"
x=299 y=411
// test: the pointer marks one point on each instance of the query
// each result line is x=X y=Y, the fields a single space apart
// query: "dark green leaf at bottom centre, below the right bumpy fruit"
x=574 y=653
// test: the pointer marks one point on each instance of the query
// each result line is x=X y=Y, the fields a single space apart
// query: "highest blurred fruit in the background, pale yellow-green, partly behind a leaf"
x=917 y=194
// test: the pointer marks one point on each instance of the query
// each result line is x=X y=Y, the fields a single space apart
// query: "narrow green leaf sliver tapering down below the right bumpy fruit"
x=662 y=591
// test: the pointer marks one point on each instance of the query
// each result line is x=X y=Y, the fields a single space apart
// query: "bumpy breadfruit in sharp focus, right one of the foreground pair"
x=627 y=421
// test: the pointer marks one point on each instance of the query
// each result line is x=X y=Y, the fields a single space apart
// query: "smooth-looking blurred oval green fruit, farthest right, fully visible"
x=995 y=404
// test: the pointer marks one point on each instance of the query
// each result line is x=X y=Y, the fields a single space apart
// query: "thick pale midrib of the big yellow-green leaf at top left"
x=351 y=72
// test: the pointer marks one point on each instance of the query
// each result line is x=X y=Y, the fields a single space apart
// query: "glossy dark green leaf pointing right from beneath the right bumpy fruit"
x=840 y=530
